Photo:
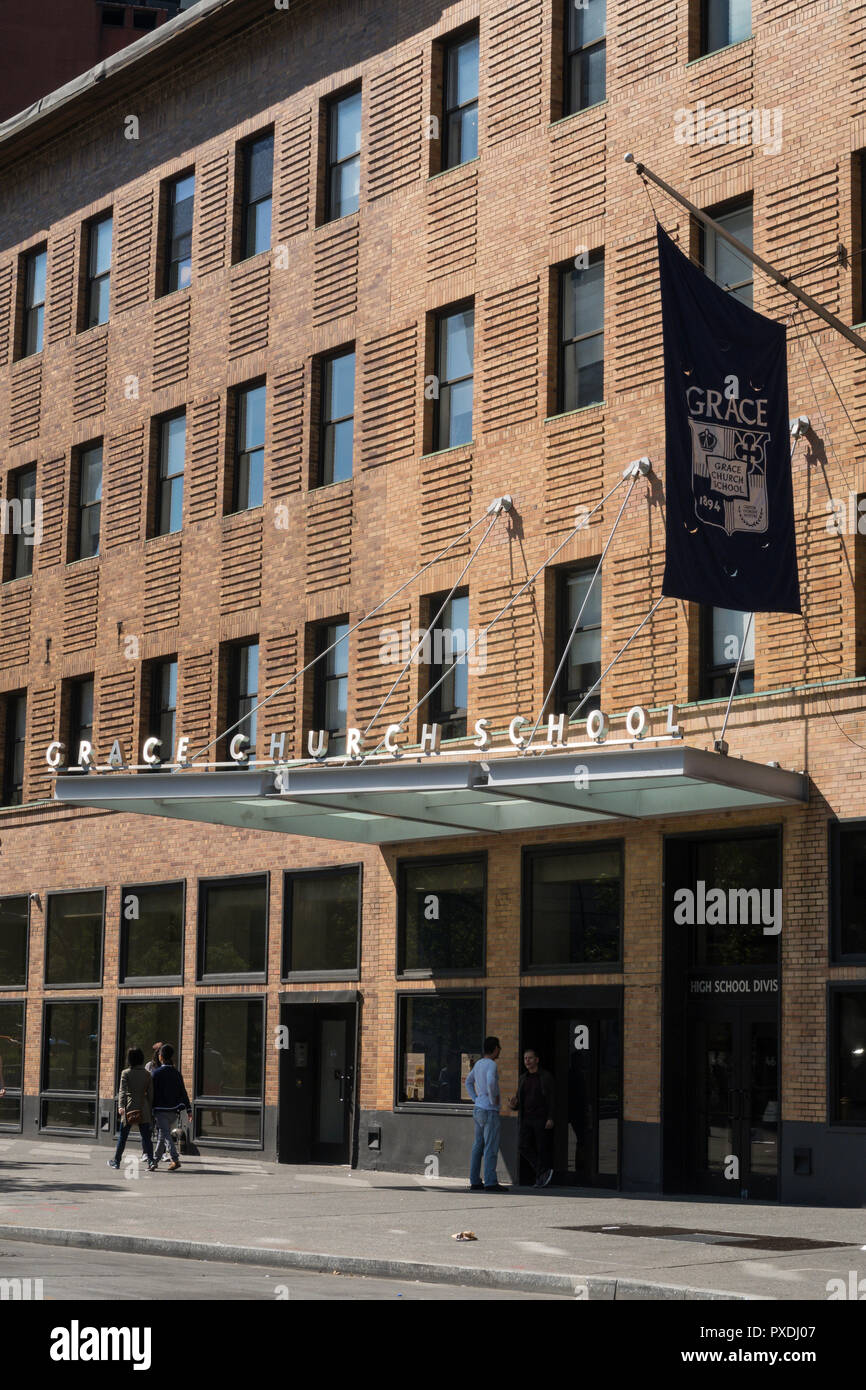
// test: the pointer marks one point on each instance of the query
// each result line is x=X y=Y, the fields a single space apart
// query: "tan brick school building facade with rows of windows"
x=161 y=322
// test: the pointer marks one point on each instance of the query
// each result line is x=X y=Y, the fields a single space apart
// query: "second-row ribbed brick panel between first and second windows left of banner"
x=511 y=329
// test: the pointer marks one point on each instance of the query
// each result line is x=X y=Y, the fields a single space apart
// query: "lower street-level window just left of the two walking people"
x=70 y=1064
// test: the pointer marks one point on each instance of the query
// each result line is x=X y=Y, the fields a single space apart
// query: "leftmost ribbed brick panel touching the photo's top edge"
x=514 y=70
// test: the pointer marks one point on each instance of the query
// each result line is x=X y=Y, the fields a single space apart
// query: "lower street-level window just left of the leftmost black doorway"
x=230 y=1070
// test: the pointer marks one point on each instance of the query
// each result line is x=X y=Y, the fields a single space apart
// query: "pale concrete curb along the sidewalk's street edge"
x=521 y=1281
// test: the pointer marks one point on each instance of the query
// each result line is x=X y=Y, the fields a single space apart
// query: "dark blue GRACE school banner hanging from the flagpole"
x=730 y=507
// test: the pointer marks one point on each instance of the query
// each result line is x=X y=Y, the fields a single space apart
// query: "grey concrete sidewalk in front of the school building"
x=241 y=1210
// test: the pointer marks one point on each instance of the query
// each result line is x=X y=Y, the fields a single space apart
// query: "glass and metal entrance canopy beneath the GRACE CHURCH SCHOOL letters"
x=426 y=799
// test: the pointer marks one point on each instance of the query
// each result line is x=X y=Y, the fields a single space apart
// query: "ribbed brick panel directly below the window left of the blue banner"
x=575 y=471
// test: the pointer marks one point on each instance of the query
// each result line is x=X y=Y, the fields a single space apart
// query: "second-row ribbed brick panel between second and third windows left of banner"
x=390 y=386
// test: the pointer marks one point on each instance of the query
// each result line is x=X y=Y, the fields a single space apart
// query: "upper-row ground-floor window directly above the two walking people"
x=152 y=935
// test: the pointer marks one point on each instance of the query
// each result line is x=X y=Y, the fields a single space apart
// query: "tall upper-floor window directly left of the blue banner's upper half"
x=582 y=336
